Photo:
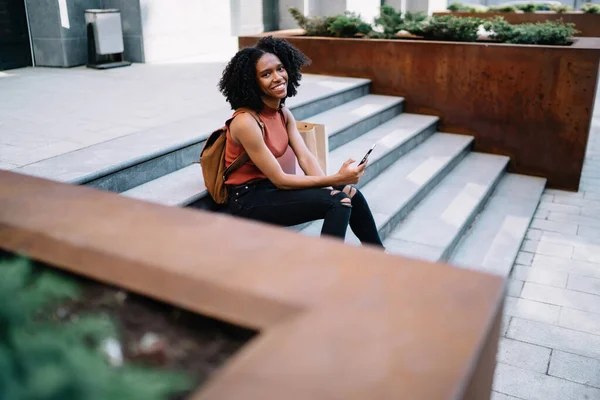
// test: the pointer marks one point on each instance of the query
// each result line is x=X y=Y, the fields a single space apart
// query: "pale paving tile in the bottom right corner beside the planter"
x=530 y=385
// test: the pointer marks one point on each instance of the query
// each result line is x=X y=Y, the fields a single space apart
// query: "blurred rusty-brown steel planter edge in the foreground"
x=335 y=321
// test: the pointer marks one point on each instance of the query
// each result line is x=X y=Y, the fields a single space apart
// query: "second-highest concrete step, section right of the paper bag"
x=351 y=120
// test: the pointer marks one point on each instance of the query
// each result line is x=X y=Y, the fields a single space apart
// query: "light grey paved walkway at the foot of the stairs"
x=550 y=348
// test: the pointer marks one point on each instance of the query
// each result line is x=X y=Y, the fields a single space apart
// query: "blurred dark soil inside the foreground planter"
x=191 y=343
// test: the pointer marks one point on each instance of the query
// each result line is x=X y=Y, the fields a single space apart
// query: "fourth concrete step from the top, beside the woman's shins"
x=397 y=190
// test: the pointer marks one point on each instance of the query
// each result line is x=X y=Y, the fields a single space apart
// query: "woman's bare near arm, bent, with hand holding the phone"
x=245 y=131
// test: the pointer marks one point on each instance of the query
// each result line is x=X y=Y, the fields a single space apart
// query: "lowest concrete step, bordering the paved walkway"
x=492 y=243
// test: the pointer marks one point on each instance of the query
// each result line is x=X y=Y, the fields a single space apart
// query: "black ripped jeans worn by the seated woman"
x=262 y=201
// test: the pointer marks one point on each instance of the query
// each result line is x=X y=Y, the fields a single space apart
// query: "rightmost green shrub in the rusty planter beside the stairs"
x=545 y=33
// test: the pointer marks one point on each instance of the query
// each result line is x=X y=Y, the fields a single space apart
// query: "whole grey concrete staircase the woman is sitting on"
x=433 y=198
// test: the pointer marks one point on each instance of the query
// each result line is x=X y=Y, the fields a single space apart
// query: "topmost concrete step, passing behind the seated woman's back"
x=129 y=161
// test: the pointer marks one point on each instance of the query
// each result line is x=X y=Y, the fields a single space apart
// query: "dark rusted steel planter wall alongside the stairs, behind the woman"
x=531 y=103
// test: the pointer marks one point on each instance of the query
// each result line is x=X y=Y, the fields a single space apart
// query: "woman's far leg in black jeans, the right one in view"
x=361 y=221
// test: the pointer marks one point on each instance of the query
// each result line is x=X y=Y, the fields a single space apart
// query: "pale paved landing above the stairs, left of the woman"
x=45 y=112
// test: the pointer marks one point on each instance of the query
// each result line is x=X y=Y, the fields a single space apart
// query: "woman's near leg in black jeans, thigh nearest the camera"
x=293 y=207
